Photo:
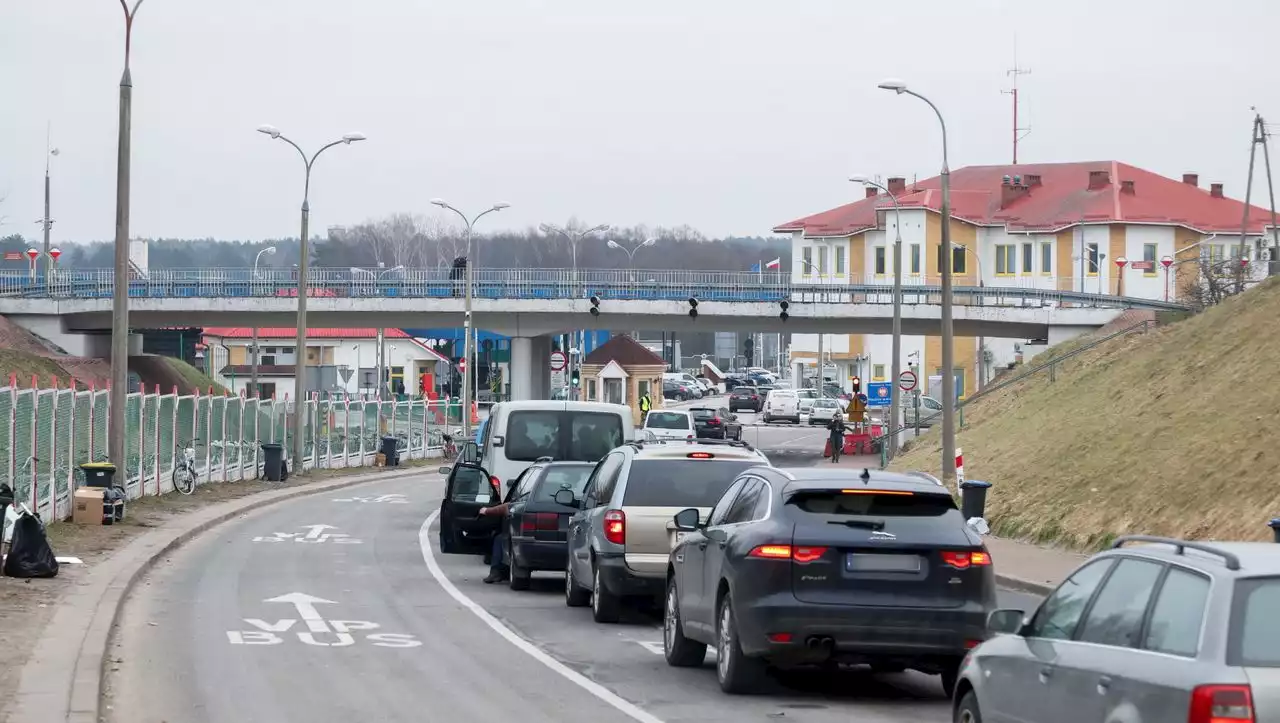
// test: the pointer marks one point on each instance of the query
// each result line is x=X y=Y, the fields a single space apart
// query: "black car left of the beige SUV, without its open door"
x=538 y=525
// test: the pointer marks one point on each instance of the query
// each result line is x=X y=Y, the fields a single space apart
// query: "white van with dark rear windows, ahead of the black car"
x=520 y=433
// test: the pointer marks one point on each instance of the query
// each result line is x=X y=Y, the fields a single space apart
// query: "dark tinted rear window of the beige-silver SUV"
x=682 y=483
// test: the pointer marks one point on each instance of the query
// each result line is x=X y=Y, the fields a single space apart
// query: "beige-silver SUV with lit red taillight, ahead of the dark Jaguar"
x=620 y=539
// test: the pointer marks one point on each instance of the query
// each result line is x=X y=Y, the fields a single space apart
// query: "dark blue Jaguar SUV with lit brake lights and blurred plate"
x=799 y=568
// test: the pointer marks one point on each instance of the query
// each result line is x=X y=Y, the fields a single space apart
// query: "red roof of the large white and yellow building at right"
x=1063 y=199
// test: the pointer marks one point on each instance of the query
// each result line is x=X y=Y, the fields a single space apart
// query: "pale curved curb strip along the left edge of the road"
x=65 y=680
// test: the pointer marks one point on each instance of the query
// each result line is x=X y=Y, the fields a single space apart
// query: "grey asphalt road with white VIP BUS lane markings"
x=239 y=628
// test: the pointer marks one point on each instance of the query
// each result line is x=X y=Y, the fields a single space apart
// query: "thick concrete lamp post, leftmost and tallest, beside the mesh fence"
x=116 y=446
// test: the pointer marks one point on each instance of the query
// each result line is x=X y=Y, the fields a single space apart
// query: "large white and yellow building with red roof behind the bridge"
x=1035 y=226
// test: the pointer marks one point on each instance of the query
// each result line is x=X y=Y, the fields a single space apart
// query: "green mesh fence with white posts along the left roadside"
x=45 y=434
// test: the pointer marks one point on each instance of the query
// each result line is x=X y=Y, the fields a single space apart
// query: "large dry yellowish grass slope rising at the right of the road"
x=1168 y=433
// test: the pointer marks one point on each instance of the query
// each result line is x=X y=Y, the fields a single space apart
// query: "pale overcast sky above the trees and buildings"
x=729 y=116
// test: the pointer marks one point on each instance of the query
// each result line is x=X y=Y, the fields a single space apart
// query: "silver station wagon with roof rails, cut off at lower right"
x=1164 y=630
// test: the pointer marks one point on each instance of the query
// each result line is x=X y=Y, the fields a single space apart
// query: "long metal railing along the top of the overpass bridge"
x=537 y=285
